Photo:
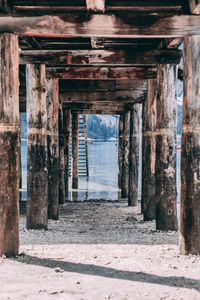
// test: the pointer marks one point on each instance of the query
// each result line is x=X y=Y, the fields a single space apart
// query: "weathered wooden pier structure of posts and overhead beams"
x=99 y=57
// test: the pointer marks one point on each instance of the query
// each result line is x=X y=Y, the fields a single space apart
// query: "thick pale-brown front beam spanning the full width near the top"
x=101 y=25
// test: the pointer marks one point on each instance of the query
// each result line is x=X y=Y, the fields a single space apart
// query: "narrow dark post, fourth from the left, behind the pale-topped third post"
x=61 y=156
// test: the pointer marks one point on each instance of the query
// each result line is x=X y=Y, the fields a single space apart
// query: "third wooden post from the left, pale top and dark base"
x=53 y=148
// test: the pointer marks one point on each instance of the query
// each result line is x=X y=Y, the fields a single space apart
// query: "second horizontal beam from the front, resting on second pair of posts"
x=97 y=57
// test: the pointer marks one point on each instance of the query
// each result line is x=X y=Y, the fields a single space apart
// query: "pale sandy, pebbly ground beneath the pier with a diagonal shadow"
x=99 y=251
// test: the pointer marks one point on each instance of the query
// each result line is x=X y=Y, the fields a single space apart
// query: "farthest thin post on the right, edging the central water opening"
x=120 y=151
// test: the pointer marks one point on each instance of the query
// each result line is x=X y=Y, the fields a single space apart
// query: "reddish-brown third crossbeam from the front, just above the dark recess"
x=100 y=73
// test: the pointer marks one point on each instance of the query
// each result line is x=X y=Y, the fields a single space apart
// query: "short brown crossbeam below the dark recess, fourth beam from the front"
x=102 y=97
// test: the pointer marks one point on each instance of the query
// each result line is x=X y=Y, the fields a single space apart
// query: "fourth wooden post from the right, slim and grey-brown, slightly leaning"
x=134 y=155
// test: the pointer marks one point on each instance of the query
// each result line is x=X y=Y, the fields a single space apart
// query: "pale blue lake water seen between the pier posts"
x=103 y=173
